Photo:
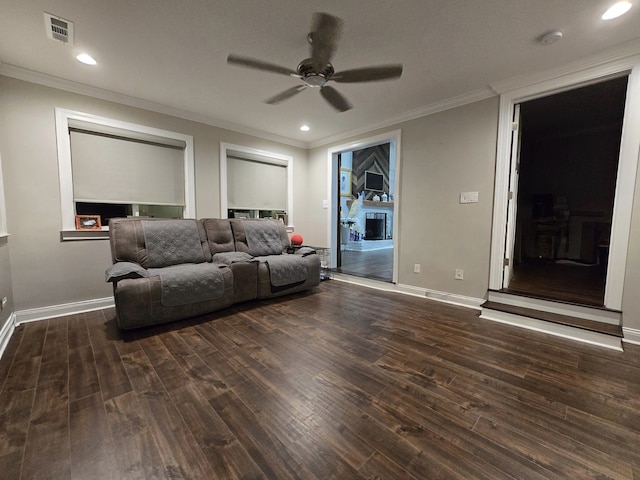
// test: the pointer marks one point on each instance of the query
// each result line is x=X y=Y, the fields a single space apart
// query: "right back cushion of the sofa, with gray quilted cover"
x=259 y=237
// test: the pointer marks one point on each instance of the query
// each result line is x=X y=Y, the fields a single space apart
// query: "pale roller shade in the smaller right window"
x=254 y=184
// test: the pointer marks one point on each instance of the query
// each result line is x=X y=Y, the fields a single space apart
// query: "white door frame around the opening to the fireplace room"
x=392 y=137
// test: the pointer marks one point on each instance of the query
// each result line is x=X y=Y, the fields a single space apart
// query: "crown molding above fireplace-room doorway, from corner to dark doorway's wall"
x=425 y=111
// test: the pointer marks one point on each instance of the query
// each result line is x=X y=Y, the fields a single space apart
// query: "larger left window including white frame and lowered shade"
x=113 y=169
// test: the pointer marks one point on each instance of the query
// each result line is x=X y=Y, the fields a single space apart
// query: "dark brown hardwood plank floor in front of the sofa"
x=337 y=383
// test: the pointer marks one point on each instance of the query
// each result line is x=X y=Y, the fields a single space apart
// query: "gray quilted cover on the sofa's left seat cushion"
x=189 y=283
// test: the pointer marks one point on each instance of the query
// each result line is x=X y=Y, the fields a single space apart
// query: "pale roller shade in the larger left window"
x=109 y=169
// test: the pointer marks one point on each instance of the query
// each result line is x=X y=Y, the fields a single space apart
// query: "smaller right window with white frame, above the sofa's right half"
x=255 y=183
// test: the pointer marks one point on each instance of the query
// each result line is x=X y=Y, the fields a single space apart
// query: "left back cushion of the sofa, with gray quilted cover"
x=157 y=243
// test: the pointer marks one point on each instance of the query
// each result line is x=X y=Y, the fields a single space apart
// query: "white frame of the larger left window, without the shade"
x=67 y=205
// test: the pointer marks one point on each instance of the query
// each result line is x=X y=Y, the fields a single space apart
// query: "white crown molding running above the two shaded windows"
x=39 y=78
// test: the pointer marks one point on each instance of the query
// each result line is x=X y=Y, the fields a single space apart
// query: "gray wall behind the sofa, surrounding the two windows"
x=46 y=271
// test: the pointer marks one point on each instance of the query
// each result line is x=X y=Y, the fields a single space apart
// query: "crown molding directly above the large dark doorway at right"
x=609 y=62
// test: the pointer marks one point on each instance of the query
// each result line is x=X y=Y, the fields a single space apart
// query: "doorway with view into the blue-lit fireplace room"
x=363 y=217
